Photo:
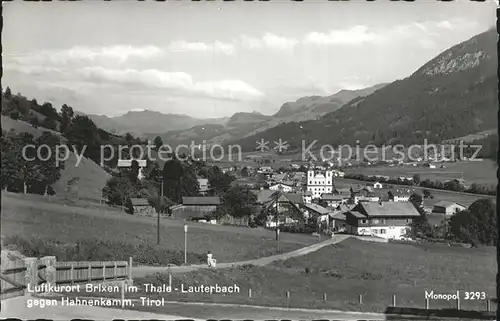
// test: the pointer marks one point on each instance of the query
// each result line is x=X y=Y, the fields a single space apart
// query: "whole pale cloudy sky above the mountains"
x=212 y=59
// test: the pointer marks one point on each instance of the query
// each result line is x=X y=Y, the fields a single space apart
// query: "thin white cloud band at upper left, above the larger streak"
x=118 y=53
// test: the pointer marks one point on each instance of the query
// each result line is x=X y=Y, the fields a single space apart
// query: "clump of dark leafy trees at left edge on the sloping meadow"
x=29 y=173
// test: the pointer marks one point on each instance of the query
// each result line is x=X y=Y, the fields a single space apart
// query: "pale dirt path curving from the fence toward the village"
x=141 y=271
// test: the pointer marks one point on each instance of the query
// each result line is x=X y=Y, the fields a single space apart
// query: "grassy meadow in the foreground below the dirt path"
x=348 y=269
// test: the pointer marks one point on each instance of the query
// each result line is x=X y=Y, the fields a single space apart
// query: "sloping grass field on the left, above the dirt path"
x=27 y=216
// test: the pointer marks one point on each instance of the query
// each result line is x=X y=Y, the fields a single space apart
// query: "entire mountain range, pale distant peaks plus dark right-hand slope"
x=452 y=95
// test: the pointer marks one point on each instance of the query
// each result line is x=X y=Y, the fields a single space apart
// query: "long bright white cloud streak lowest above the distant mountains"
x=179 y=83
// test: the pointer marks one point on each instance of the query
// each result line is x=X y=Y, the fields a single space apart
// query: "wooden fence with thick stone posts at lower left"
x=18 y=276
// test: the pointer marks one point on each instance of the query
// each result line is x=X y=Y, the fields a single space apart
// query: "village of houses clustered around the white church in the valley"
x=316 y=199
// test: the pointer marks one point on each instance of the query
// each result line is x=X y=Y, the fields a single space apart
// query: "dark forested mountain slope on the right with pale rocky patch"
x=452 y=95
